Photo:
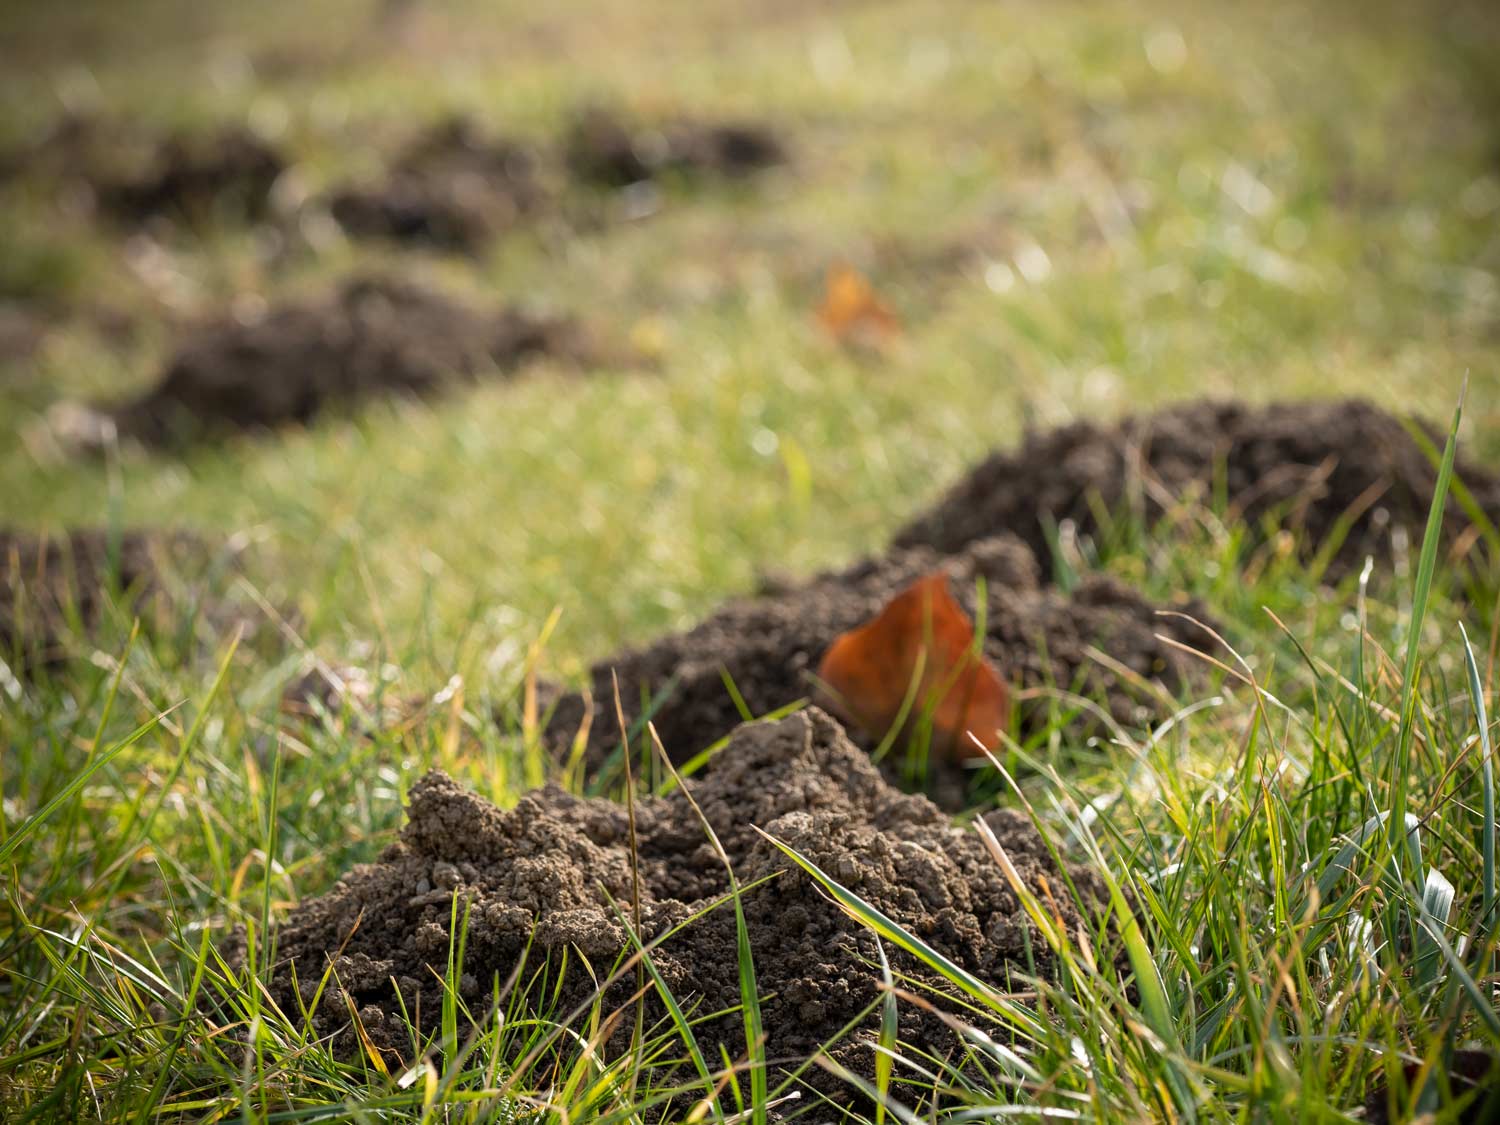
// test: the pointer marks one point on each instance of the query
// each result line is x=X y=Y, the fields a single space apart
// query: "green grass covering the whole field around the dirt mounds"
x=1076 y=211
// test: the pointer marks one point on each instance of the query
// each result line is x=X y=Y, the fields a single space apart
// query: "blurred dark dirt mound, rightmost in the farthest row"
x=611 y=152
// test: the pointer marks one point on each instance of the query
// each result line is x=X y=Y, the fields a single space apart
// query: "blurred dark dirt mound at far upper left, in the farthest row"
x=227 y=173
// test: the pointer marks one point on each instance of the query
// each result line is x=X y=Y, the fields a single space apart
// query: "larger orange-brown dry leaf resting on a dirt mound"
x=871 y=670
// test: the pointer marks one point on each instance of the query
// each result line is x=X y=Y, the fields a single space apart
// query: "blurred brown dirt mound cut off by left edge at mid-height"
x=52 y=587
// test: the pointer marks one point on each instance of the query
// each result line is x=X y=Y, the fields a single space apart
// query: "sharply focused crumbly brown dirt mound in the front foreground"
x=538 y=881
